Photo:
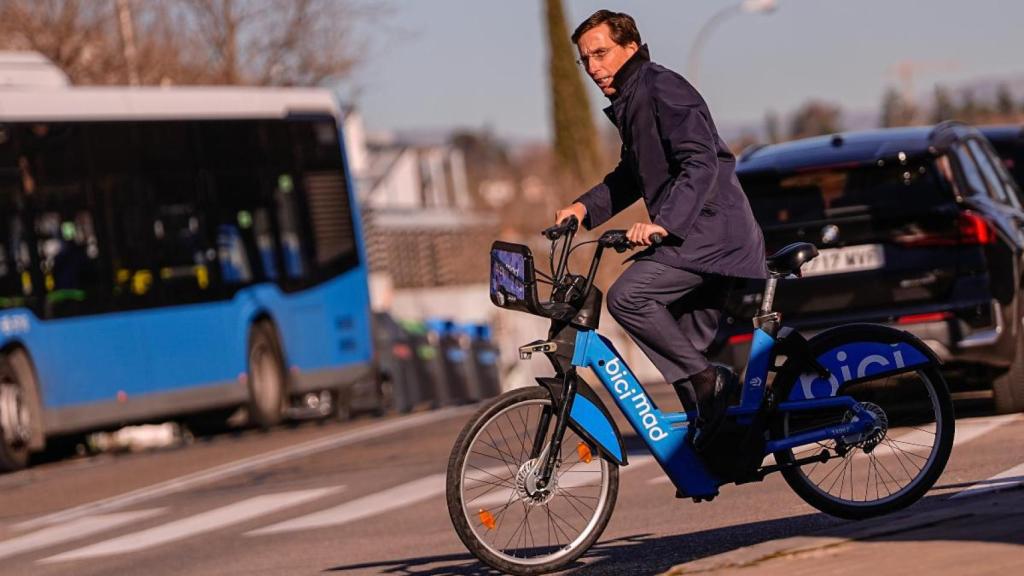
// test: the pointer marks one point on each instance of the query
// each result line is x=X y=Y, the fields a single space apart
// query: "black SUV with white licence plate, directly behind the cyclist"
x=918 y=228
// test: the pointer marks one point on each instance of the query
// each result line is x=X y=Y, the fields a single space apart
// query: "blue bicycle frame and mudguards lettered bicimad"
x=666 y=433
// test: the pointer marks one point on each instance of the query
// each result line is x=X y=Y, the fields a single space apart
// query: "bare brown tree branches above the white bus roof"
x=252 y=43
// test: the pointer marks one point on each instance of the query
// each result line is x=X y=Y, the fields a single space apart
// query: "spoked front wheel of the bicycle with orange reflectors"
x=496 y=508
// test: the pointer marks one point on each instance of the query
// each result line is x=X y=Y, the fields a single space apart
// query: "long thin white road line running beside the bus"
x=244 y=466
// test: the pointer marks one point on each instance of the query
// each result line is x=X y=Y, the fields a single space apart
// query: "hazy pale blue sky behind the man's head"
x=443 y=64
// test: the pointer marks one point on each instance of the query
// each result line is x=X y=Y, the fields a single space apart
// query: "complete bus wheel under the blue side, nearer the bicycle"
x=267 y=378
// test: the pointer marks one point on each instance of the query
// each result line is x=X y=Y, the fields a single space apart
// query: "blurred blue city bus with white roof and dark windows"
x=175 y=255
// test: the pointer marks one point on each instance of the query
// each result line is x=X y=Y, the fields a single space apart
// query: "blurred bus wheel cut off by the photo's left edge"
x=16 y=419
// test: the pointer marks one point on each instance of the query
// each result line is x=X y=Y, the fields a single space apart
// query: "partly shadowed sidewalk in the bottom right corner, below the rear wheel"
x=980 y=534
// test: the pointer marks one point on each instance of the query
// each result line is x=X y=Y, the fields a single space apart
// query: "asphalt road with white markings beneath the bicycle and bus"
x=367 y=498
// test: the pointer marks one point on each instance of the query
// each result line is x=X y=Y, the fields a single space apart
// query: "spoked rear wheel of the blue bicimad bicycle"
x=886 y=470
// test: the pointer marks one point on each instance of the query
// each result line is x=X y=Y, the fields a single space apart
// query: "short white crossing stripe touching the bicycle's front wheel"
x=380 y=503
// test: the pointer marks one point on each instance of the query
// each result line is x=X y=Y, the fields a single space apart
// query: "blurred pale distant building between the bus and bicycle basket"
x=423 y=228
